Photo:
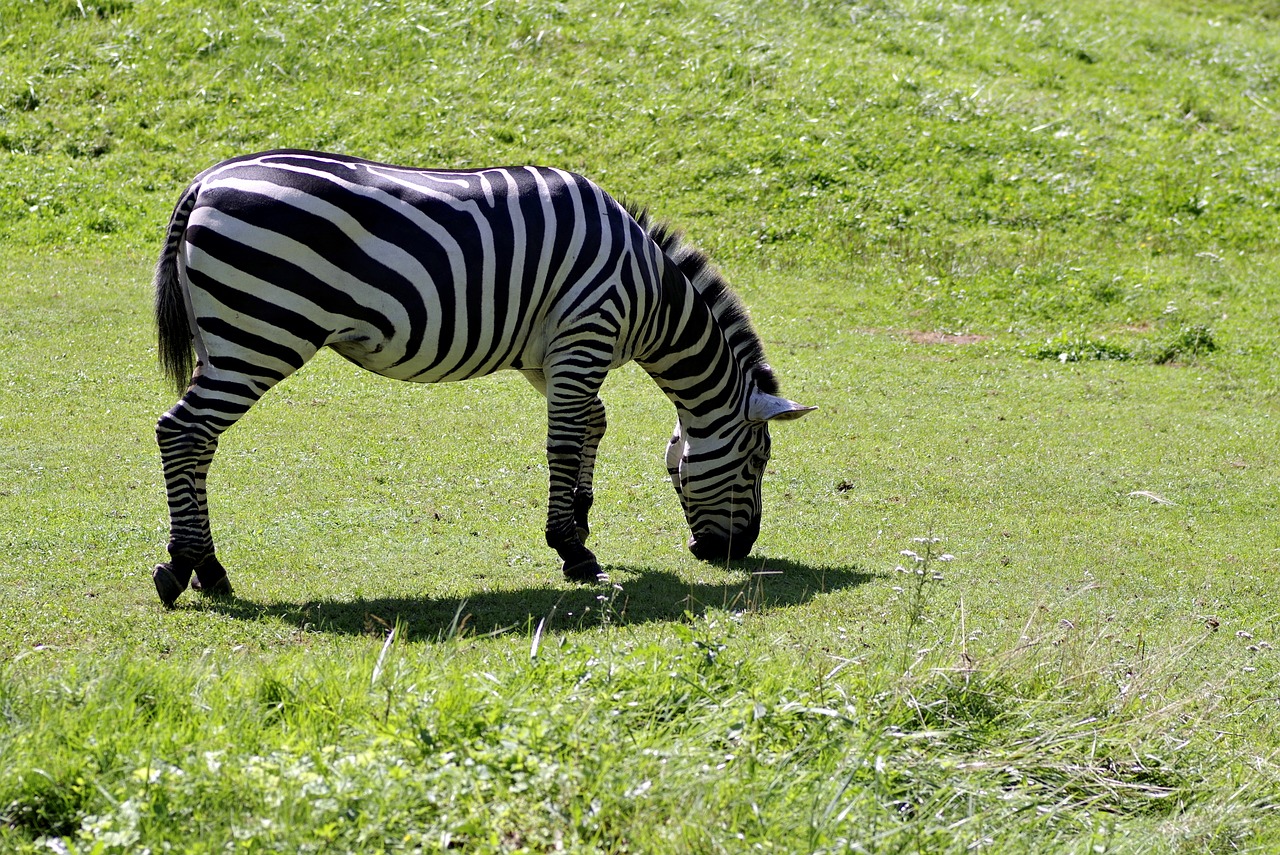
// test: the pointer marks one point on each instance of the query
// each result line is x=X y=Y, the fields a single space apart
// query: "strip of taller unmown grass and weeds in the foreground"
x=710 y=740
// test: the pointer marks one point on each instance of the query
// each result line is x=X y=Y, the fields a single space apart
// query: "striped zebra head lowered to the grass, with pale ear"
x=717 y=475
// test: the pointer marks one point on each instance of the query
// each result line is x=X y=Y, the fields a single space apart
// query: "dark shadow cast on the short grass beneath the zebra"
x=633 y=597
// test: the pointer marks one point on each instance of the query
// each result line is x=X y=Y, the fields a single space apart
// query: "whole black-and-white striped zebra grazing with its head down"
x=432 y=276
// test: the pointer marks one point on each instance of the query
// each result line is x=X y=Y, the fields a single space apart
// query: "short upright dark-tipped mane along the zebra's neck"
x=707 y=281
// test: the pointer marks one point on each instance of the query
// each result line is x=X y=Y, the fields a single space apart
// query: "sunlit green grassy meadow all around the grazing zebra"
x=1017 y=584
